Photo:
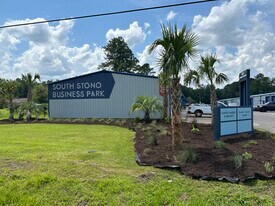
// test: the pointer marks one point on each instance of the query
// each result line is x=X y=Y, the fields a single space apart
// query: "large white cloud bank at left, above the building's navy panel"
x=47 y=52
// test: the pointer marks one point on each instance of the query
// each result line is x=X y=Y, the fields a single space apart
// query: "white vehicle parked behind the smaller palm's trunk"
x=202 y=109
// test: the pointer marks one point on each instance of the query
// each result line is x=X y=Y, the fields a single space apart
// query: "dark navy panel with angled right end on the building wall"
x=93 y=86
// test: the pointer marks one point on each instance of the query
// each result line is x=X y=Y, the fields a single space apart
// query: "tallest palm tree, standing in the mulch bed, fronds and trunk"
x=178 y=47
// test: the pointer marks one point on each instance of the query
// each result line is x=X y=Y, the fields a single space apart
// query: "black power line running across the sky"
x=107 y=14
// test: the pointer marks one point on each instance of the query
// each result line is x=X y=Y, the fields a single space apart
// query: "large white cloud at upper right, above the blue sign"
x=242 y=37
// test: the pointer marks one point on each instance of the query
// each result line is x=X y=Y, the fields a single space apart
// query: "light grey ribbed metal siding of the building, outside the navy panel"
x=126 y=89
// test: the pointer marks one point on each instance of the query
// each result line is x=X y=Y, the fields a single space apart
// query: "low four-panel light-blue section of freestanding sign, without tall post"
x=232 y=120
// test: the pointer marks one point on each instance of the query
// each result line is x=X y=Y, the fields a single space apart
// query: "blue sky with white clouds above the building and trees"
x=240 y=32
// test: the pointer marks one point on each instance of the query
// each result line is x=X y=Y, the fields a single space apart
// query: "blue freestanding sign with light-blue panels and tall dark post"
x=235 y=120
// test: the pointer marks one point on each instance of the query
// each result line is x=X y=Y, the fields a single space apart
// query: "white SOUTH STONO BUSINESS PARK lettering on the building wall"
x=78 y=90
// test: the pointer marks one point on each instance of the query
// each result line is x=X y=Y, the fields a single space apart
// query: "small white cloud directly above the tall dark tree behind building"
x=132 y=36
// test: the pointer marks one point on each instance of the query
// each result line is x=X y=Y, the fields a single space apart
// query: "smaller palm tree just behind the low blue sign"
x=207 y=72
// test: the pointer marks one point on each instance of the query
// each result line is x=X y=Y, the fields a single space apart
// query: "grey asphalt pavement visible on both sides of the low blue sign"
x=262 y=120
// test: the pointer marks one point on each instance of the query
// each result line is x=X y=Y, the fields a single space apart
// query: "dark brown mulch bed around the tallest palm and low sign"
x=212 y=163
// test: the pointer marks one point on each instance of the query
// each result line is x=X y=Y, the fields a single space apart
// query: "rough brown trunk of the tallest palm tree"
x=177 y=135
